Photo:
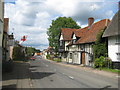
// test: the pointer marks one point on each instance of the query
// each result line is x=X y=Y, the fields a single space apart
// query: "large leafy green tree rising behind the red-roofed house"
x=54 y=29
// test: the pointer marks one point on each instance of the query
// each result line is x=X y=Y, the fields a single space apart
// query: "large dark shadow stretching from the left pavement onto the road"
x=24 y=71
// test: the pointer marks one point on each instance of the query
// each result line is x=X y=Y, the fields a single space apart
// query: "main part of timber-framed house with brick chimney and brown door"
x=79 y=48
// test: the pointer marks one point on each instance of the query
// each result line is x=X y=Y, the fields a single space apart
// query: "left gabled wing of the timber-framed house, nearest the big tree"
x=64 y=39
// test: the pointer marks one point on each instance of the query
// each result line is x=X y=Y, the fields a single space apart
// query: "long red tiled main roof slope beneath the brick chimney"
x=89 y=35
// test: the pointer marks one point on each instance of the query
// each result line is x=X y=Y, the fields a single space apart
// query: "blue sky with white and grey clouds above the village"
x=33 y=17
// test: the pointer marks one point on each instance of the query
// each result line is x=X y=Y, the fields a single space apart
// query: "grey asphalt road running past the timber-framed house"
x=48 y=74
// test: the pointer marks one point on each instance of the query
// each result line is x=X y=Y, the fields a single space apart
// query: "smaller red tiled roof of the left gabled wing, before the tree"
x=67 y=33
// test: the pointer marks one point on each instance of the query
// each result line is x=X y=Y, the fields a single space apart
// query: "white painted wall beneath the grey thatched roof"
x=113 y=48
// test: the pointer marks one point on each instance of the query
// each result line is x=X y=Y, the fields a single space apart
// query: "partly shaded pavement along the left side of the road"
x=18 y=78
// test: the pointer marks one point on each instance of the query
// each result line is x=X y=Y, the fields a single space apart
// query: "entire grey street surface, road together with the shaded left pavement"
x=43 y=73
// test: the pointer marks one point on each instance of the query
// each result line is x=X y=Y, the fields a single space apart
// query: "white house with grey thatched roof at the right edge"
x=112 y=34
